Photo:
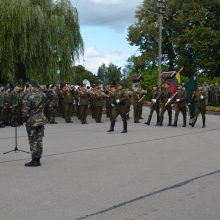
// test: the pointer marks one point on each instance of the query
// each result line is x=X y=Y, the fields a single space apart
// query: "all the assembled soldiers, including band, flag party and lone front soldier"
x=34 y=105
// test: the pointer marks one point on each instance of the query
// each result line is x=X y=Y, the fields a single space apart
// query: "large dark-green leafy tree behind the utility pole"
x=187 y=26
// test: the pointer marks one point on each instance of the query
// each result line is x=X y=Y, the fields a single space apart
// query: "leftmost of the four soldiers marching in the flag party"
x=155 y=106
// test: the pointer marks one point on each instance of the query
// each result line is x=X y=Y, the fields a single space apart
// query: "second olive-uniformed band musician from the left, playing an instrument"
x=83 y=102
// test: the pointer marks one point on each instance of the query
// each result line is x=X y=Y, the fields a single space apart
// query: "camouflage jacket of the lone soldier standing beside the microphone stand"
x=33 y=109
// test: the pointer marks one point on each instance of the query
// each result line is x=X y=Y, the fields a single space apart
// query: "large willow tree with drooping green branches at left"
x=39 y=39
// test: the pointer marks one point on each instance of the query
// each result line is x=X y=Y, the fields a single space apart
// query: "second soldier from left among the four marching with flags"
x=166 y=105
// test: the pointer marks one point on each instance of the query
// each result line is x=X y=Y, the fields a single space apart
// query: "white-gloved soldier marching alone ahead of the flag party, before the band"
x=120 y=108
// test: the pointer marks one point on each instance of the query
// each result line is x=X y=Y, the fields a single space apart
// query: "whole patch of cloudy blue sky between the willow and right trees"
x=104 y=27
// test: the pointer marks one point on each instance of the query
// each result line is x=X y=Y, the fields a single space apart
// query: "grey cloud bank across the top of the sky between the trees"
x=116 y=14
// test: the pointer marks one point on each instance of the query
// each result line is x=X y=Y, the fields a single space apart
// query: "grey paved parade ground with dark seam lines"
x=150 y=173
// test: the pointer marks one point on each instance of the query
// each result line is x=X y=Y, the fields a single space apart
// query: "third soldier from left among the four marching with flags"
x=180 y=105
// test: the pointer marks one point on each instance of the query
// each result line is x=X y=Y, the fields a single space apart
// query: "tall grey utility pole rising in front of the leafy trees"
x=161 y=7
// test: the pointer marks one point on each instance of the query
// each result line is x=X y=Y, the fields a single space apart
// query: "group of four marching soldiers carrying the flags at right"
x=162 y=101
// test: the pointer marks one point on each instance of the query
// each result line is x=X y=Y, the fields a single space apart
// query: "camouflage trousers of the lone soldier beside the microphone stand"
x=35 y=138
